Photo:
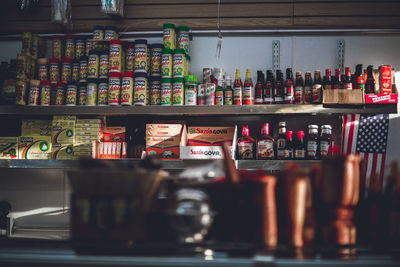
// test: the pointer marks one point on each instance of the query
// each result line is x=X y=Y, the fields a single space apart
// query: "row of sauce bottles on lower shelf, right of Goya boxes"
x=310 y=147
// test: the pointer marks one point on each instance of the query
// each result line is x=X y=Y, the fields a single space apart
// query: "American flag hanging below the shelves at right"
x=366 y=135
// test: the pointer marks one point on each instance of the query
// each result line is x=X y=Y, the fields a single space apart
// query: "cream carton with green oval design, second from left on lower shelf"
x=34 y=147
